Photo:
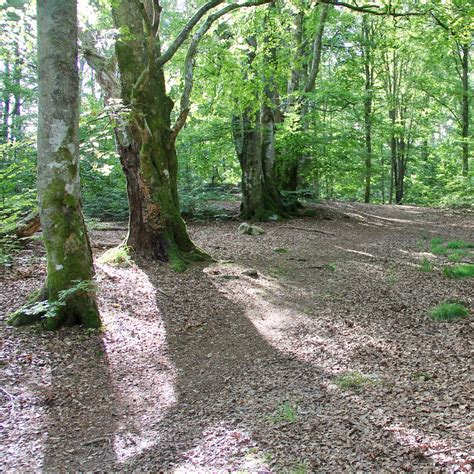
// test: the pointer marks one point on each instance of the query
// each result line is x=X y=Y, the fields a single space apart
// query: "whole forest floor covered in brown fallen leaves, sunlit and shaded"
x=212 y=370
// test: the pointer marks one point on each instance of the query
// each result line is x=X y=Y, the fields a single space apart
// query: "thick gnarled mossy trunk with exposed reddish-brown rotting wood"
x=157 y=229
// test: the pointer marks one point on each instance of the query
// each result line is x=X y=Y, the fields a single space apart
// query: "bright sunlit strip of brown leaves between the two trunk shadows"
x=142 y=375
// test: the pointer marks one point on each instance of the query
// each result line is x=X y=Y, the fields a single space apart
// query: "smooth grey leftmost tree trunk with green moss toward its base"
x=64 y=232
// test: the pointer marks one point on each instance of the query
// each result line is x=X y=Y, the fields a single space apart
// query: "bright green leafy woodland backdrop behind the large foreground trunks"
x=384 y=118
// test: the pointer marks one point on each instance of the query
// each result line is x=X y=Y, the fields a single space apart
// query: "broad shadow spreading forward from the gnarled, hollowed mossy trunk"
x=230 y=382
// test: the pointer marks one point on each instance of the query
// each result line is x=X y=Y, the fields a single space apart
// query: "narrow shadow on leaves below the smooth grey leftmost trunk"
x=80 y=405
